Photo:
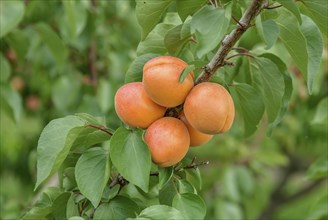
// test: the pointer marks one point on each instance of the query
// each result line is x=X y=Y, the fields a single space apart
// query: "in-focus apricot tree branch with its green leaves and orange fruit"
x=191 y=71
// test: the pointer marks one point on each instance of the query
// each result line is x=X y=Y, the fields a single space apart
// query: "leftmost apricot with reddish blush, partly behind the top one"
x=135 y=108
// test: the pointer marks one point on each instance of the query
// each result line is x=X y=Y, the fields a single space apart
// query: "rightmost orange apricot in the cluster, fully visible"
x=209 y=108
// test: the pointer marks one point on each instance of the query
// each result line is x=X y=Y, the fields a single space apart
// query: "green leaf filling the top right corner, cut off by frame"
x=317 y=10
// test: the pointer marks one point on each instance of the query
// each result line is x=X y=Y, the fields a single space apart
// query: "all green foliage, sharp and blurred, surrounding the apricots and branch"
x=59 y=58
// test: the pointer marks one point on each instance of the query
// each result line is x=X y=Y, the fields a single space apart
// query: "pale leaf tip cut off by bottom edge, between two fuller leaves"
x=160 y=212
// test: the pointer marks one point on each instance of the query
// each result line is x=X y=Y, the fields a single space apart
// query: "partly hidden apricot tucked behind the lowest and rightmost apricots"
x=196 y=137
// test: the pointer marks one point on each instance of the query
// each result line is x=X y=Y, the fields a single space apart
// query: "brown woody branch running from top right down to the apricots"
x=227 y=44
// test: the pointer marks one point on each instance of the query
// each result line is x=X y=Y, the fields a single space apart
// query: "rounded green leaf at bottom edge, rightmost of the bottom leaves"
x=190 y=205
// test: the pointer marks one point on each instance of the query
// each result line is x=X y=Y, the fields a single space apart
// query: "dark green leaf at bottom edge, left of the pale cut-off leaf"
x=118 y=208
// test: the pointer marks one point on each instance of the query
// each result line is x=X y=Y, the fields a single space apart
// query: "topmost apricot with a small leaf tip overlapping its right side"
x=161 y=80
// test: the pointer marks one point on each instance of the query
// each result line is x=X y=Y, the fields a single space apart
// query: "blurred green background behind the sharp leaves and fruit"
x=66 y=57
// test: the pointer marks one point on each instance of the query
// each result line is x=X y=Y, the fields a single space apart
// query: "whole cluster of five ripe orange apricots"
x=208 y=109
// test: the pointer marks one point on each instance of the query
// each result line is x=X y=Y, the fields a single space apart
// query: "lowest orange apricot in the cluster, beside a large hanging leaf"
x=168 y=141
